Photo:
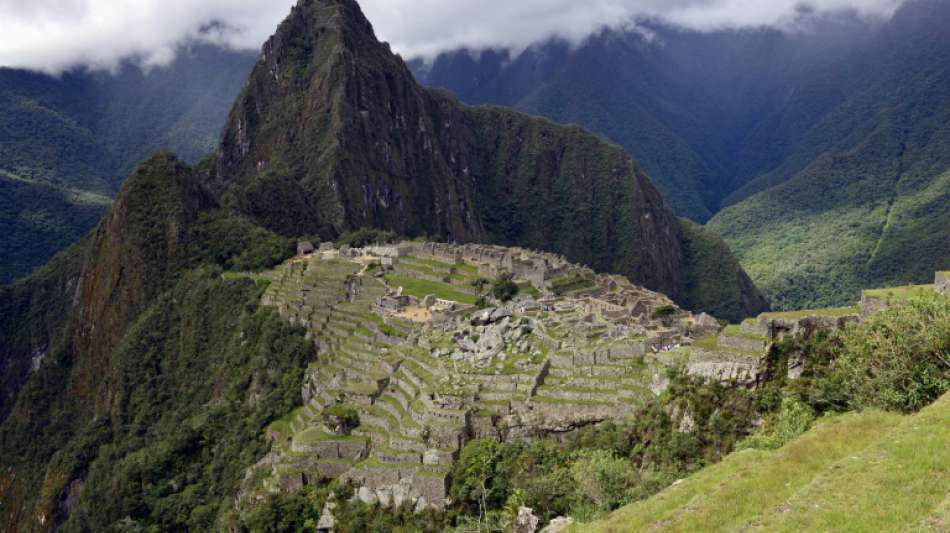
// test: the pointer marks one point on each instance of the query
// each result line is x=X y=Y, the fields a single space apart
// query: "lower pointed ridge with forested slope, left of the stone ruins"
x=101 y=349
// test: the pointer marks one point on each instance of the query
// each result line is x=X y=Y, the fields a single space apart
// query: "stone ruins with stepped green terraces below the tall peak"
x=409 y=368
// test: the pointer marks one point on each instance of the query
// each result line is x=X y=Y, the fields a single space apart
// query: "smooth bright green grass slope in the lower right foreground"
x=870 y=471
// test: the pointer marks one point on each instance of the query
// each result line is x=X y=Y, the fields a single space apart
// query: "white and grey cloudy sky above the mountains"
x=53 y=35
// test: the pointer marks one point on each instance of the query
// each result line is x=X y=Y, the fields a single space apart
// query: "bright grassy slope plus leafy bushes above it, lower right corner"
x=863 y=471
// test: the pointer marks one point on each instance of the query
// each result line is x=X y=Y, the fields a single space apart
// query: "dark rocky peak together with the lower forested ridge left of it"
x=139 y=375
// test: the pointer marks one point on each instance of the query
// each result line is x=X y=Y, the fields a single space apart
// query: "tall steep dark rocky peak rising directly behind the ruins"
x=332 y=133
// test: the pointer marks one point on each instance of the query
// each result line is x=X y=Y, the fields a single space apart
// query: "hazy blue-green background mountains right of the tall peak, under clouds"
x=717 y=117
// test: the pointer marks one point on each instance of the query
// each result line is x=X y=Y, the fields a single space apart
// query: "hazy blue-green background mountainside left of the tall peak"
x=67 y=142
